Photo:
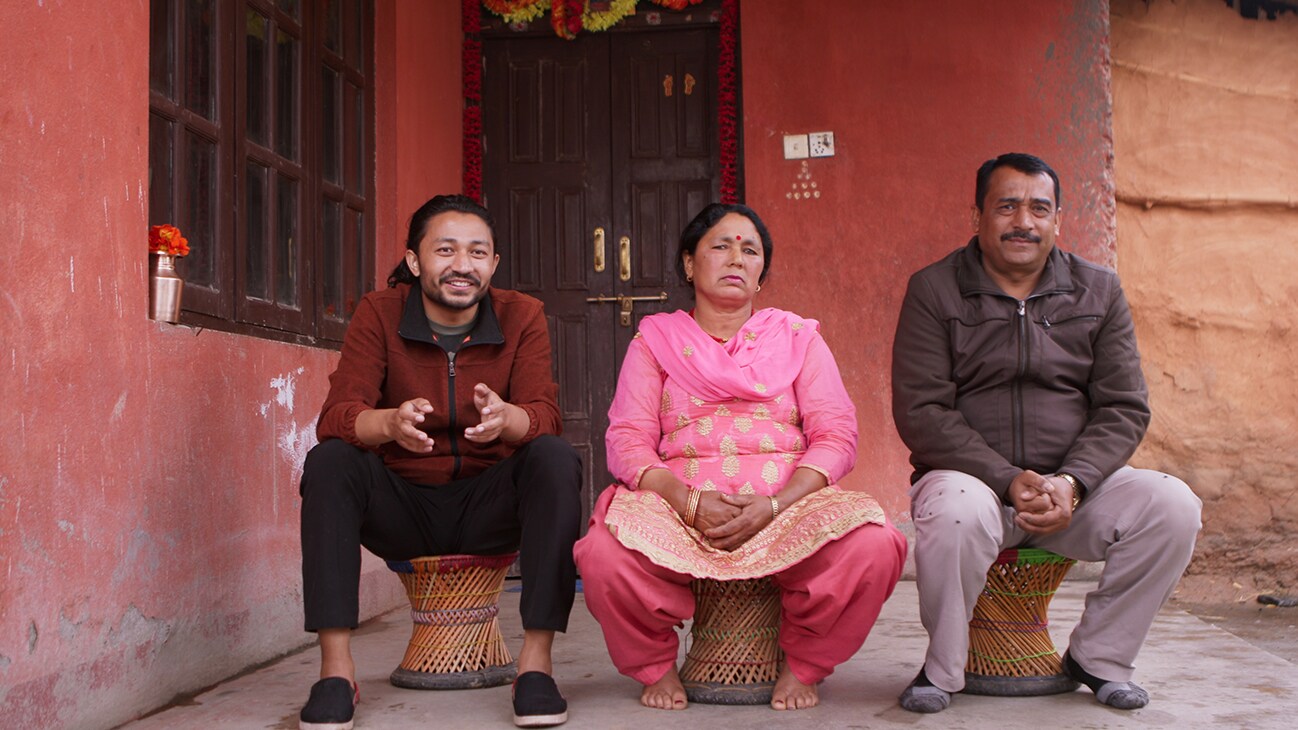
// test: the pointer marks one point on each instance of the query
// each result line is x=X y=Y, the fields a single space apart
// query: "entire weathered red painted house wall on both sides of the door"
x=149 y=475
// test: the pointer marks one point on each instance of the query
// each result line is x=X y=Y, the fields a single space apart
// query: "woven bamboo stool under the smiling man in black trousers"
x=454 y=602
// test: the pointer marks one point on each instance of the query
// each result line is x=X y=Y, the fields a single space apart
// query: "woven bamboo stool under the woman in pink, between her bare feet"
x=735 y=642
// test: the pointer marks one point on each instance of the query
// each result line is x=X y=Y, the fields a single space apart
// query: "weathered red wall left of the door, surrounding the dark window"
x=149 y=473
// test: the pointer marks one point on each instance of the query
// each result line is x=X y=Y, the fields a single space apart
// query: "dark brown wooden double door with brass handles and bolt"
x=608 y=138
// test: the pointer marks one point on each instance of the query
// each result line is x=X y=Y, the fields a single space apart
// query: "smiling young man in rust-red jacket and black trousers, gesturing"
x=441 y=436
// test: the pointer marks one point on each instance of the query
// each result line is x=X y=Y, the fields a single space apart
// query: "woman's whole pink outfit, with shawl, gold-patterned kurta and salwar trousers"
x=741 y=419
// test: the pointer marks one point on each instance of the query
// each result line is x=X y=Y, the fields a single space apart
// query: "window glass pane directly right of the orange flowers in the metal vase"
x=199 y=223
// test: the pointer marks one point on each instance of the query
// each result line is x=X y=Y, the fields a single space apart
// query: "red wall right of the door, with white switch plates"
x=918 y=97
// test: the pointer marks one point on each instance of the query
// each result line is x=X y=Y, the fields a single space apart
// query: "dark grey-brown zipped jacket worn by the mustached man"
x=988 y=385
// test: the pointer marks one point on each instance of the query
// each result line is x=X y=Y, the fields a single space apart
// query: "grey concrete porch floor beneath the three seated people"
x=1197 y=675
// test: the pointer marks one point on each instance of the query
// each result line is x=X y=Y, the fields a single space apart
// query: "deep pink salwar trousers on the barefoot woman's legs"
x=830 y=601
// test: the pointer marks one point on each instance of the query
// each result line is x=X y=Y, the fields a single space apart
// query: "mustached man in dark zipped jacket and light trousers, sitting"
x=1017 y=386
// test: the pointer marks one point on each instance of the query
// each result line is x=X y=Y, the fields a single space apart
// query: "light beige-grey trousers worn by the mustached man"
x=1140 y=523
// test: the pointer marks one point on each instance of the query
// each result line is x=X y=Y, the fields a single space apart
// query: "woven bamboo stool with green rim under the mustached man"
x=1010 y=648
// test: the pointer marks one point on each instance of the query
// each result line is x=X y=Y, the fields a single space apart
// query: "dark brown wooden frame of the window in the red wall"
x=321 y=293
